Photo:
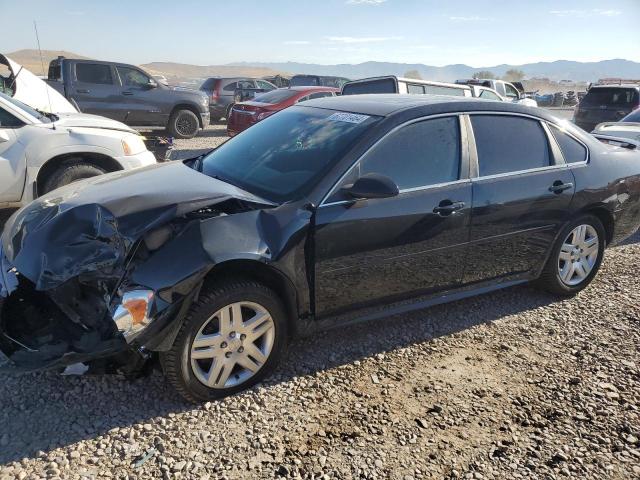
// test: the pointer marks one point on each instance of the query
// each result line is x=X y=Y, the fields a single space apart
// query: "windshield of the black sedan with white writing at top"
x=282 y=157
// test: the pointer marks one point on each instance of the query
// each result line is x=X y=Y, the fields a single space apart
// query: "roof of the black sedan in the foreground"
x=387 y=104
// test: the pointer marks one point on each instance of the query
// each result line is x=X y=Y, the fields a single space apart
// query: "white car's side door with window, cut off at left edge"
x=12 y=158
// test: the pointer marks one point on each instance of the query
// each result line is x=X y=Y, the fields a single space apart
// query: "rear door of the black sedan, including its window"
x=521 y=196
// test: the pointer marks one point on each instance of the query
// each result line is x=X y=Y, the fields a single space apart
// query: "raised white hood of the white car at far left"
x=34 y=91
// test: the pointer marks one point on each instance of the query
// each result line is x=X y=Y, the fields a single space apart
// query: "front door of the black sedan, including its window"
x=383 y=250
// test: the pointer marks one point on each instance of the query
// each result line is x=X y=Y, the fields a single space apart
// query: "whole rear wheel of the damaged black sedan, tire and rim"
x=575 y=258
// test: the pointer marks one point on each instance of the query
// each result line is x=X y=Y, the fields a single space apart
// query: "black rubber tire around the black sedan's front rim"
x=176 y=363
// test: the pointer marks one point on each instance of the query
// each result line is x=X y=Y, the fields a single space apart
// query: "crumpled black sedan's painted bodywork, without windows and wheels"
x=171 y=229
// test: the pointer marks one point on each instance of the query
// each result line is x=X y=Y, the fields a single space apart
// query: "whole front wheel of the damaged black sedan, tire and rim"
x=232 y=338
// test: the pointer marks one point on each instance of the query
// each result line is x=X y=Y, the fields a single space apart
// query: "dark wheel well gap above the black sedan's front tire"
x=260 y=272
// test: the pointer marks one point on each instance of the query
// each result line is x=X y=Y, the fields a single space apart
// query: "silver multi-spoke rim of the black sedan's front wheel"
x=232 y=345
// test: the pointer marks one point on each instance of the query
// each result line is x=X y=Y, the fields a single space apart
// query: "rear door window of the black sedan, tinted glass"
x=509 y=144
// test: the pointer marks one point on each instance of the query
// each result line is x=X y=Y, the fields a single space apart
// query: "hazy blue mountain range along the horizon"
x=558 y=70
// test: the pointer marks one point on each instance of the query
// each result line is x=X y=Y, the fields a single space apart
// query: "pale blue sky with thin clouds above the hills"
x=476 y=33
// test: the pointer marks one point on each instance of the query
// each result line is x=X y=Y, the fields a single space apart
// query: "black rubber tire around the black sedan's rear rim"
x=550 y=279
